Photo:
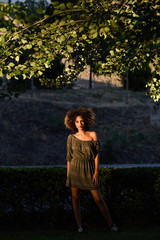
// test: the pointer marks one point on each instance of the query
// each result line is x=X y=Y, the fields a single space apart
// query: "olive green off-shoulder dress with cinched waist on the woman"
x=81 y=155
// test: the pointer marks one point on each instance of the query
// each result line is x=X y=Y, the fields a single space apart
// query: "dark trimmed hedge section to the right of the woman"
x=132 y=193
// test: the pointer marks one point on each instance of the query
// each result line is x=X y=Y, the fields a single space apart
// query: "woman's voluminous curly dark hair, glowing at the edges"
x=86 y=113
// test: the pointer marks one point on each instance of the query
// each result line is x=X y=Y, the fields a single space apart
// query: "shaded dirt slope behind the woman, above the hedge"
x=33 y=133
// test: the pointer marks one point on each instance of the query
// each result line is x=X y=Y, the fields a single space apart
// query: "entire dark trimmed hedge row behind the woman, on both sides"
x=38 y=196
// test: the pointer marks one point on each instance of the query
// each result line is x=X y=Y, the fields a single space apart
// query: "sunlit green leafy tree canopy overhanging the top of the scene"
x=111 y=36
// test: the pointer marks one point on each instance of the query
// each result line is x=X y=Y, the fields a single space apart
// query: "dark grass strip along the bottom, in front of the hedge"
x=151 y=233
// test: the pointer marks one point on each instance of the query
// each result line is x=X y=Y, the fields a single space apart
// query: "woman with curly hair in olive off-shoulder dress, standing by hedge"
x=83 y=162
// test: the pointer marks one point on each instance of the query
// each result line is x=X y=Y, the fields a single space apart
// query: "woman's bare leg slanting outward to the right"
x=102 y=206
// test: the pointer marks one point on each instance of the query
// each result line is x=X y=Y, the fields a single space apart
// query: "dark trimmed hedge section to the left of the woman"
x=32 y=195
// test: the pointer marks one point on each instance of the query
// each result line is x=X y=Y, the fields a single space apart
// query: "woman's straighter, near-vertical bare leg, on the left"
x=76 y=205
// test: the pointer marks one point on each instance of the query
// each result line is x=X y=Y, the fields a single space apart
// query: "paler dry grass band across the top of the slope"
x=102 y=94
